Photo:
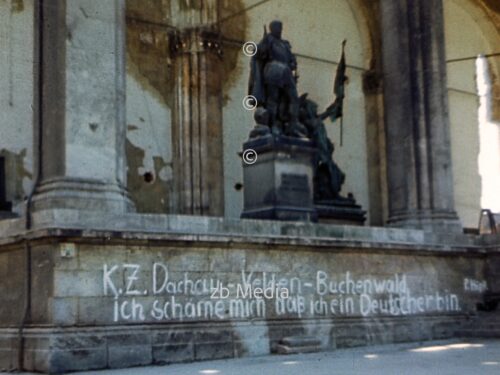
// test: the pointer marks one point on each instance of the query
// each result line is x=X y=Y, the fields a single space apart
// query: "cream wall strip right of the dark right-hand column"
x=468 y=33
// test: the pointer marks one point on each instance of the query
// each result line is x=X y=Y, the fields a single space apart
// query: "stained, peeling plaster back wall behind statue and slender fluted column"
x=151 y=88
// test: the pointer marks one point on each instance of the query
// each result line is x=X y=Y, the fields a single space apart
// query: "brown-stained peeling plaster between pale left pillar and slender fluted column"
x=149 y=102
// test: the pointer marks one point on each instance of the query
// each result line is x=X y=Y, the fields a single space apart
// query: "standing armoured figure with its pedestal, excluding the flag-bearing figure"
x=279 y=176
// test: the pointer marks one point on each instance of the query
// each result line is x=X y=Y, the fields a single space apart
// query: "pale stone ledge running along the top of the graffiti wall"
x=195 y=228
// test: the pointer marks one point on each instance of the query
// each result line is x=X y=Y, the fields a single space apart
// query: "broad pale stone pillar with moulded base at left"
x=82 y=103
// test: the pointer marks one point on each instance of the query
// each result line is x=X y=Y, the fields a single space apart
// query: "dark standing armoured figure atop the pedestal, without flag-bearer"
x=273 y=82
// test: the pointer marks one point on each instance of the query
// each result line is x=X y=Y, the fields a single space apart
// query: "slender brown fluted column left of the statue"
x=197 y=121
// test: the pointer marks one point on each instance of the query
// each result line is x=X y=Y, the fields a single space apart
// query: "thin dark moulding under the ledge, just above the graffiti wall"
x=288 y=243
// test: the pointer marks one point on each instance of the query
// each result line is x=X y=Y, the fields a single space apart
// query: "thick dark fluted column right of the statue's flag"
x=420 y=183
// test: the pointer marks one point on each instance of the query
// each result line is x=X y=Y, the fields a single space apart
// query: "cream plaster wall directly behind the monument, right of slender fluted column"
x=315 y=32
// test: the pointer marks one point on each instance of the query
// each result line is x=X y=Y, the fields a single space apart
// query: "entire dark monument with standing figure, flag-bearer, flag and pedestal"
x=290 y=174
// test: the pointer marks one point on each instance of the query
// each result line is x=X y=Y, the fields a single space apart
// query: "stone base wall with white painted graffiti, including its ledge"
x=119 y=298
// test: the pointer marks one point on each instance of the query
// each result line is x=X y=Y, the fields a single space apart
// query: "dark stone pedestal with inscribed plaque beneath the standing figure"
x=279 y=184
